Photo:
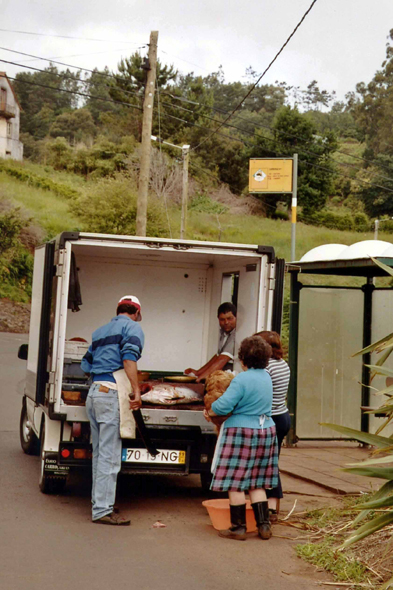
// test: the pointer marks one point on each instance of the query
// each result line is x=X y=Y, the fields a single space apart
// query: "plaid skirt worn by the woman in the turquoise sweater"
x=247 y=460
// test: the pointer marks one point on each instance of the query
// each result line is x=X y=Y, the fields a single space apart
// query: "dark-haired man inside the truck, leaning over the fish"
x=223 y=360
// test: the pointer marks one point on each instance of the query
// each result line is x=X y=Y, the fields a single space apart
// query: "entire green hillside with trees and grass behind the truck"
x=81 y=163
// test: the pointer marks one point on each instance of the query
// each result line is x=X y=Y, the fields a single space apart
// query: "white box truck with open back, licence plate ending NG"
x=180 y=284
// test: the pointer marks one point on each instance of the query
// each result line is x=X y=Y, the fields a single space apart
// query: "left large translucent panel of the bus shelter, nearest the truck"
x=330 y=330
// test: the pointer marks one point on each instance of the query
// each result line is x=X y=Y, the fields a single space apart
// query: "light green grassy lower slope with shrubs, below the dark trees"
x=29 y=215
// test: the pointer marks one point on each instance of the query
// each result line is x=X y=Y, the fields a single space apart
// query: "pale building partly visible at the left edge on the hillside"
x=10 y=146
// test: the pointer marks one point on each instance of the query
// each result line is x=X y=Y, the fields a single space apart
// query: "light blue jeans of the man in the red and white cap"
x=103 y=412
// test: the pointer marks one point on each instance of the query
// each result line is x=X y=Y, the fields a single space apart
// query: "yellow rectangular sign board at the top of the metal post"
x=270 y=176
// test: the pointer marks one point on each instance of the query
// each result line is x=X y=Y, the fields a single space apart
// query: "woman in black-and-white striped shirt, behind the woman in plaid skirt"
x=280 y=374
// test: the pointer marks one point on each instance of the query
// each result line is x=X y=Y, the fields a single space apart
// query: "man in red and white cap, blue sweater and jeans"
x=117 y=345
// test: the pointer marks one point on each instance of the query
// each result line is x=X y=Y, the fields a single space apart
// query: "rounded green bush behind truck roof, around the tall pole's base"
x=110 y=207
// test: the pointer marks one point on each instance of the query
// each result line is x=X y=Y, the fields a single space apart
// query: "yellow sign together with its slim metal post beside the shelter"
x=276 y=175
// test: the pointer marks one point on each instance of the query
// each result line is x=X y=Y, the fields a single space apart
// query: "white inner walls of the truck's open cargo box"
x=179 y=293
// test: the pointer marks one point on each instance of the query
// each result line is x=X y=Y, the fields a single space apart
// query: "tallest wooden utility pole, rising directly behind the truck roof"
x=144 y=171
